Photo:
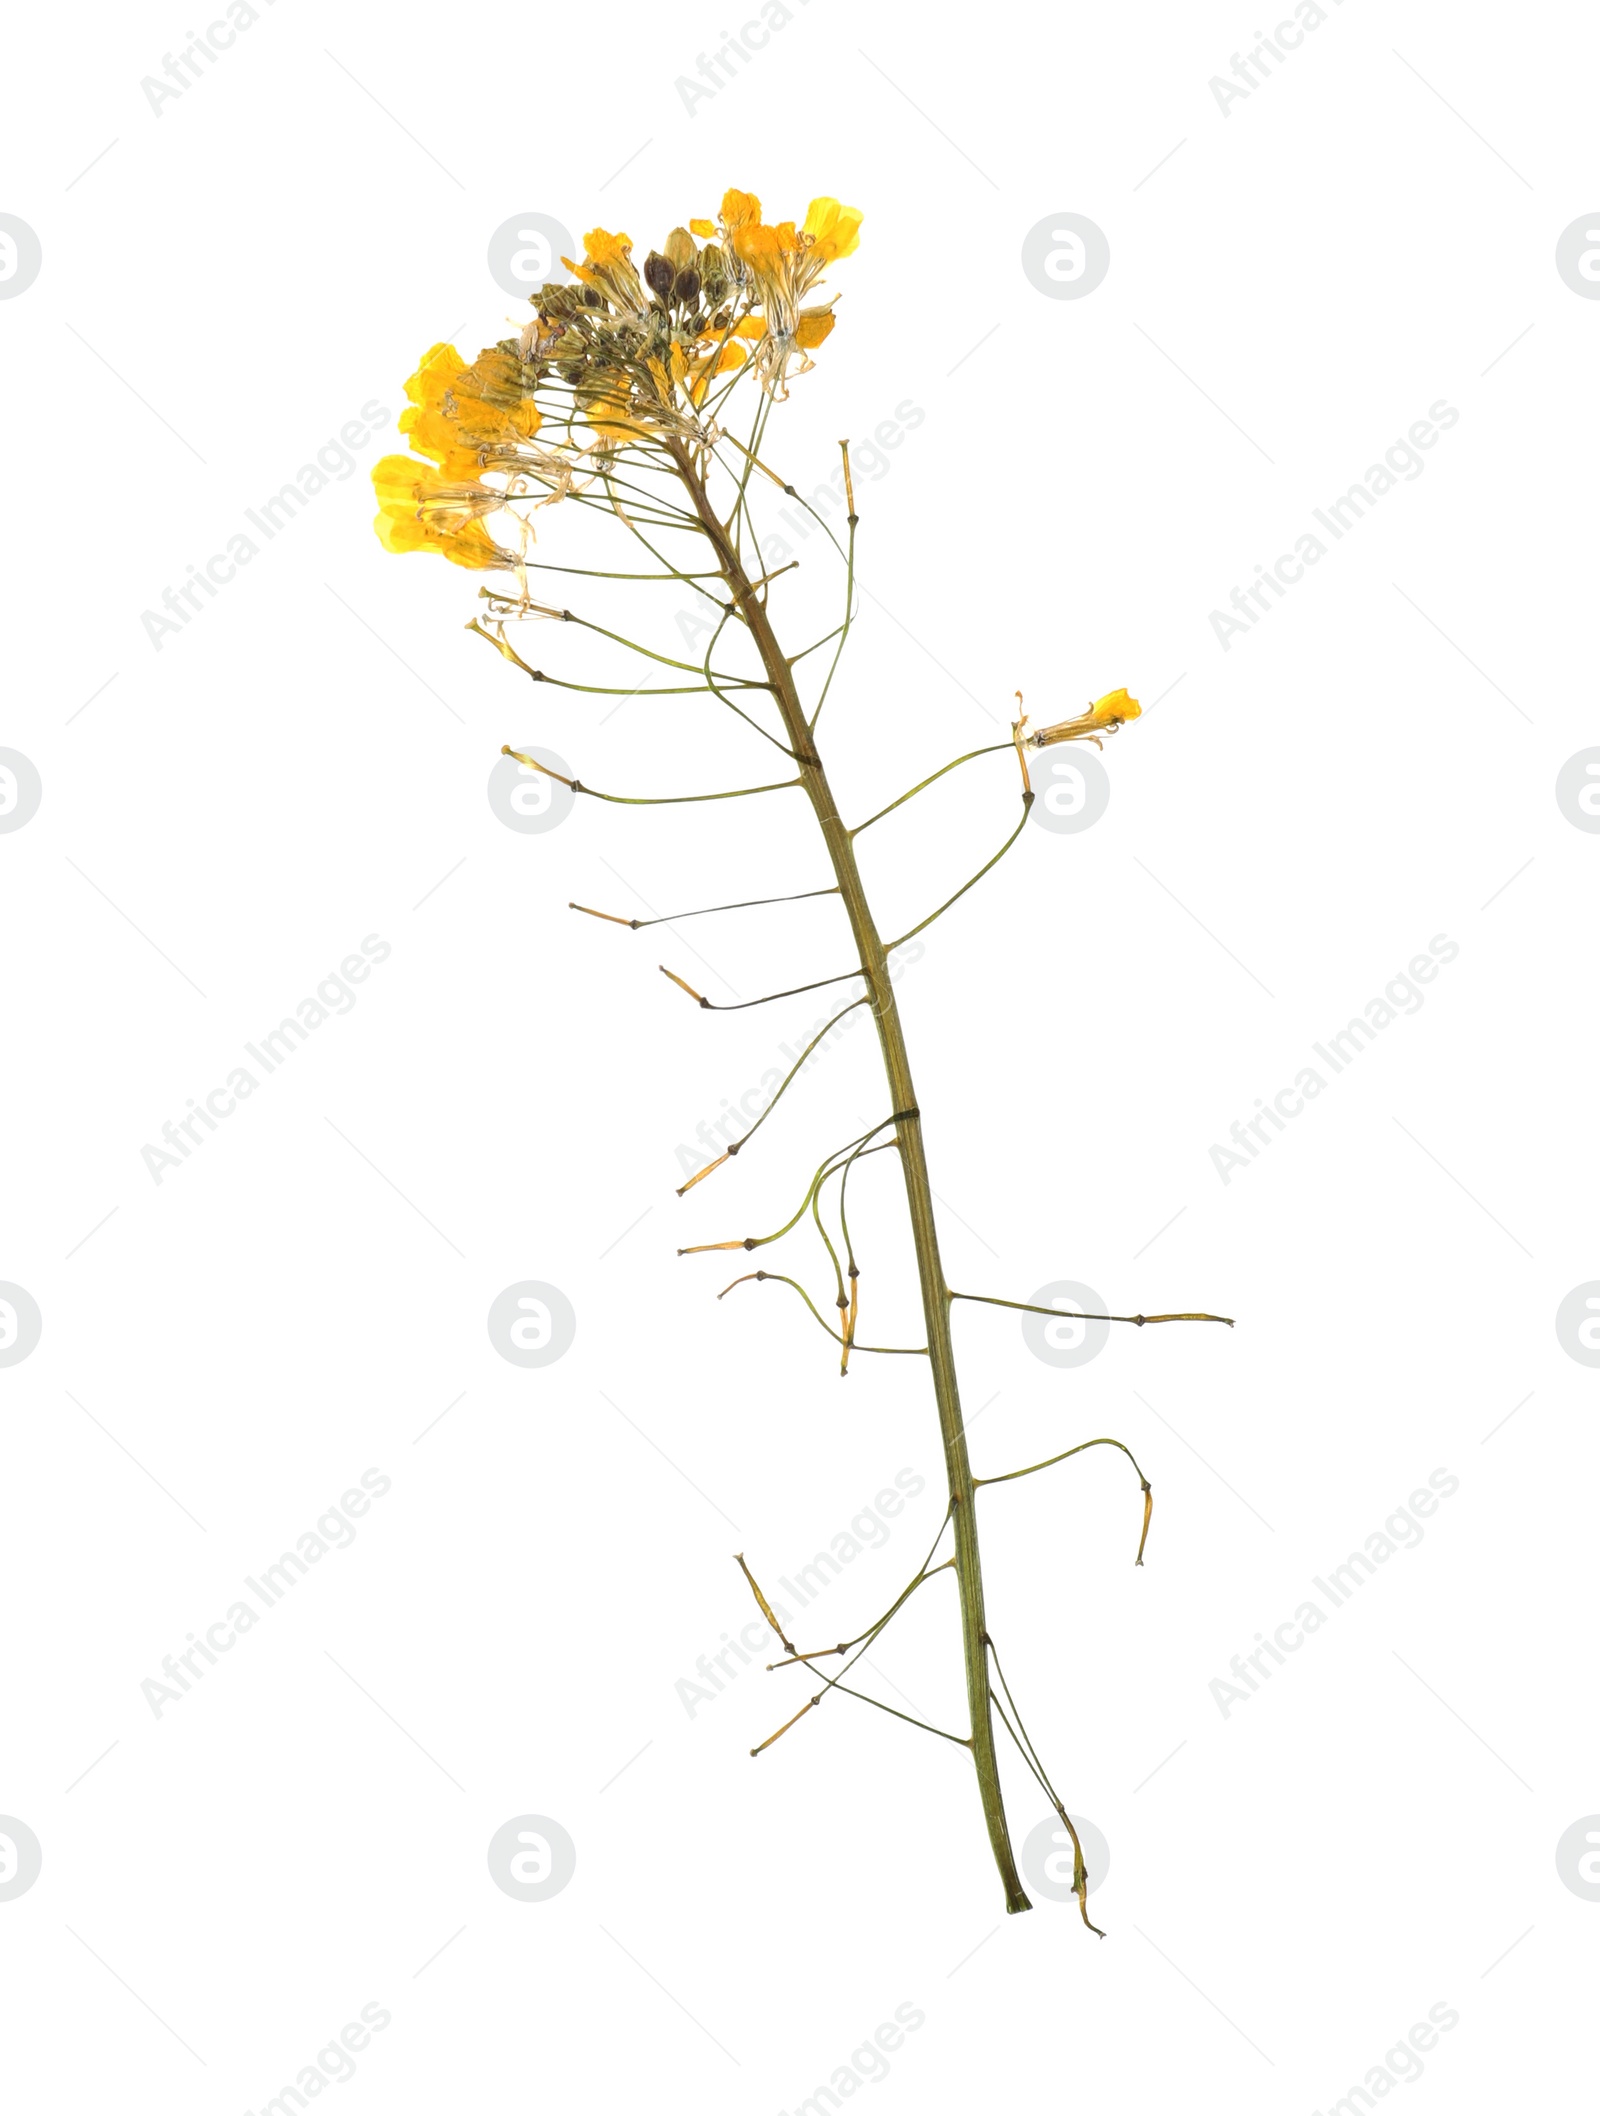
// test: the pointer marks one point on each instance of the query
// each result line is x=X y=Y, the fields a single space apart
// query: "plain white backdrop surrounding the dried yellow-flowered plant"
x=304 y=765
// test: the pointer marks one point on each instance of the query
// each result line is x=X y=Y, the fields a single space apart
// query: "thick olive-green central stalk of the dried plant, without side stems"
x=913 y=1161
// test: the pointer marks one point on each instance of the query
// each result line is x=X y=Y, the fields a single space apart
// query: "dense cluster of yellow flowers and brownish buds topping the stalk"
x=621 y=357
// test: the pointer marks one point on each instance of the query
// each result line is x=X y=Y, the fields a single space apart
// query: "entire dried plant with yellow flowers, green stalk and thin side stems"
x=647 y=393
